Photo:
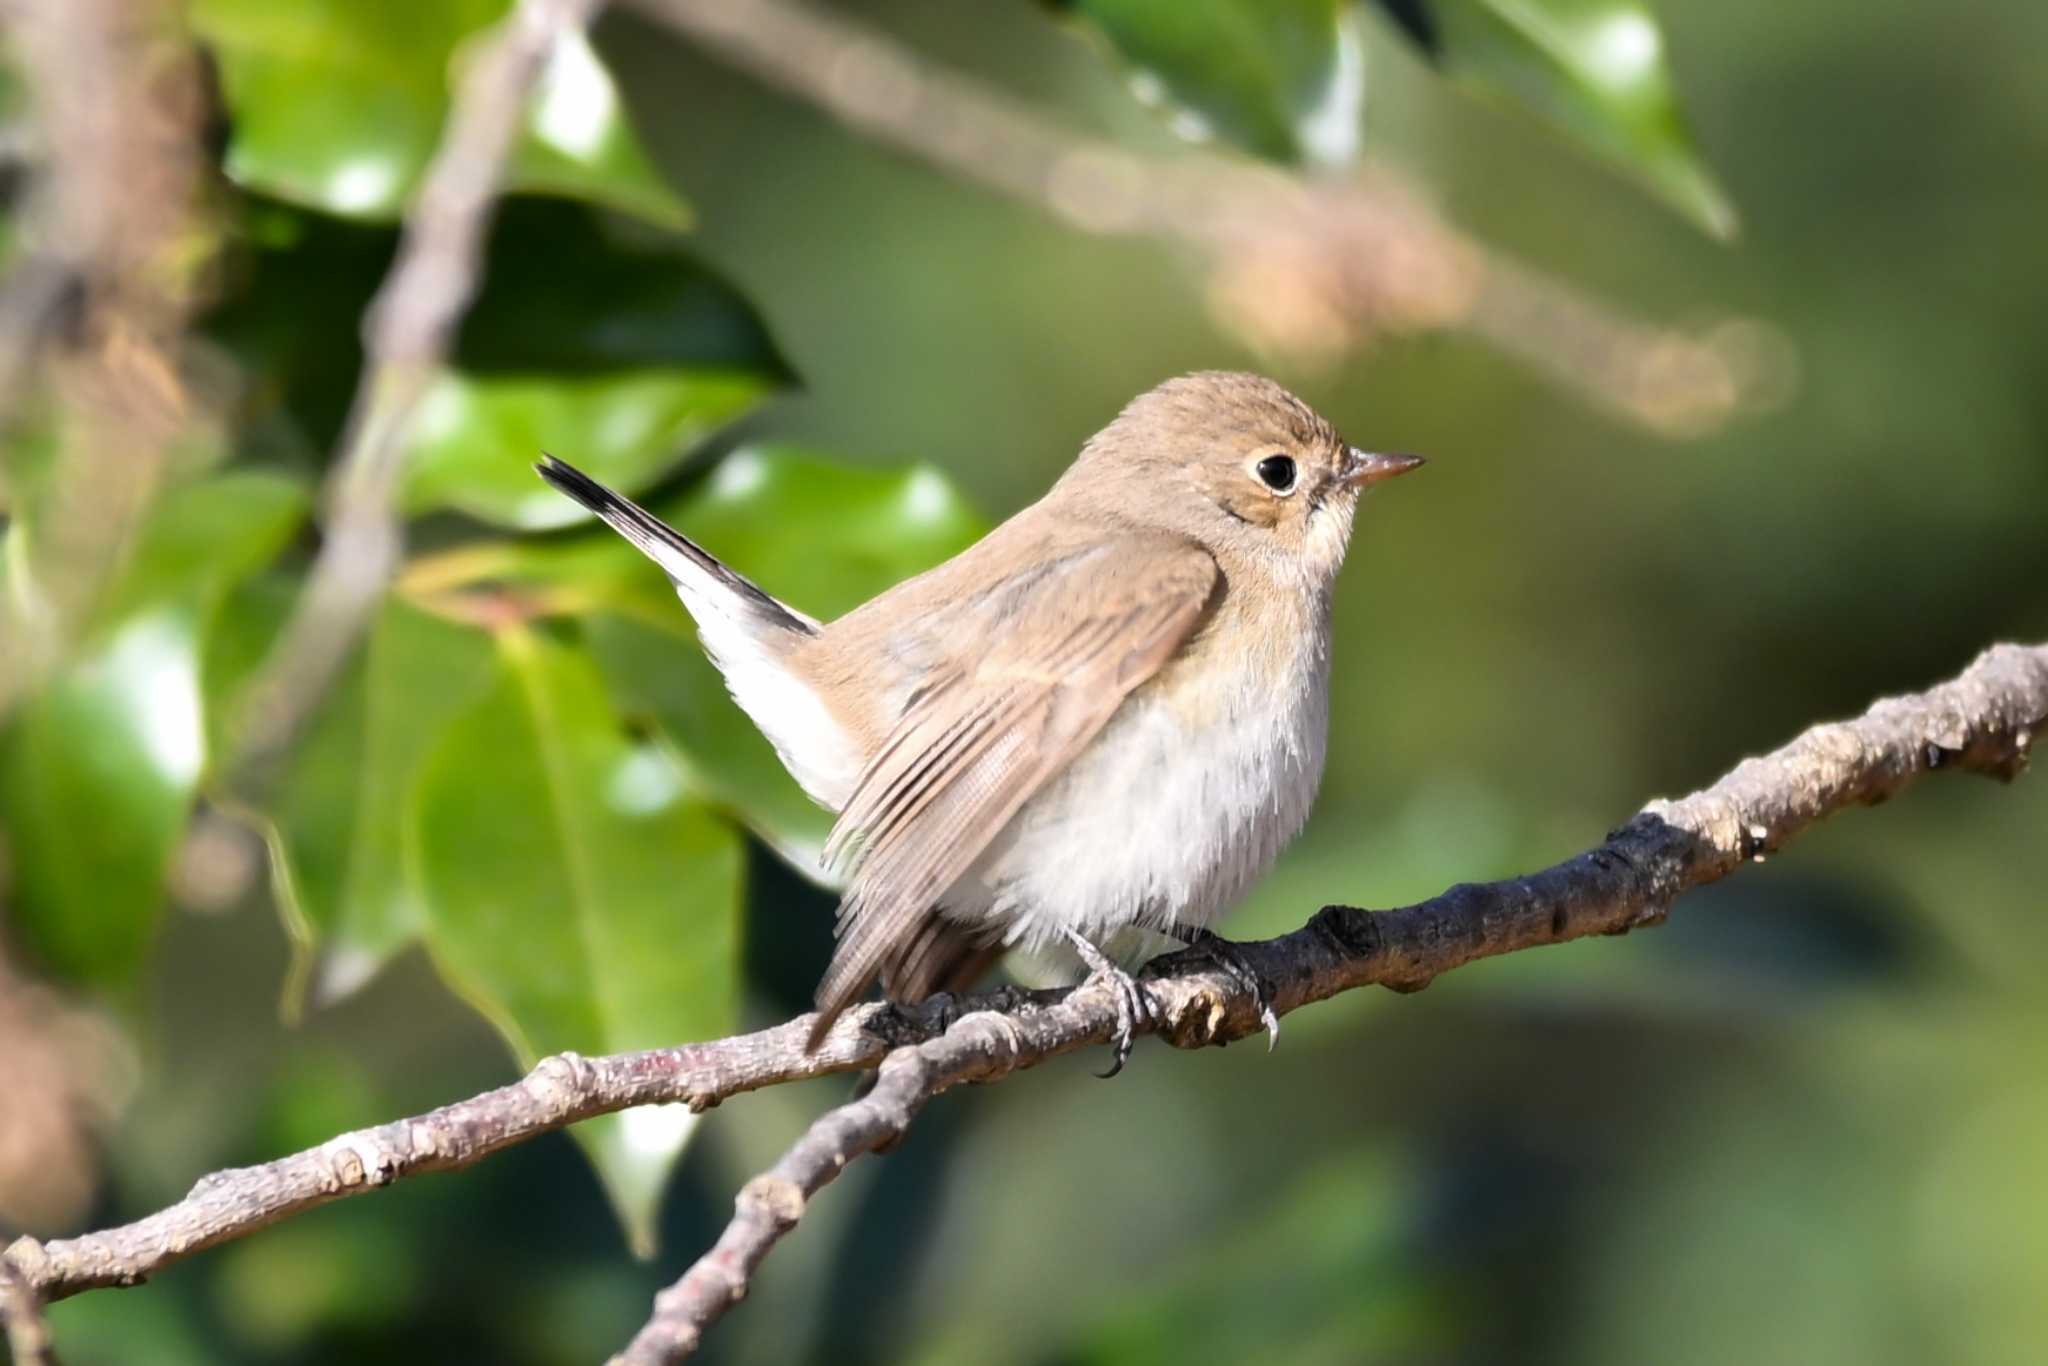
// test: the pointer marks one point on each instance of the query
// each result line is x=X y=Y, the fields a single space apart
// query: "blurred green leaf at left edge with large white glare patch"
x=101 y=765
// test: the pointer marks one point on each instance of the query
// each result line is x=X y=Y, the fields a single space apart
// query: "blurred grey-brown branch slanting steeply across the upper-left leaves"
x=407 y=337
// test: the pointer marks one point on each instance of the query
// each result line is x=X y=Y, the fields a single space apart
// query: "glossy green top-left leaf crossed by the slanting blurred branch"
x=339 y=105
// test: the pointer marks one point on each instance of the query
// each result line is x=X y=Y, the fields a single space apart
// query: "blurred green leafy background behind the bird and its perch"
x=1691 y=488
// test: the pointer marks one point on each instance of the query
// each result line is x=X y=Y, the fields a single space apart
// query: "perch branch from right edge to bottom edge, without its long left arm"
x=1983 y=722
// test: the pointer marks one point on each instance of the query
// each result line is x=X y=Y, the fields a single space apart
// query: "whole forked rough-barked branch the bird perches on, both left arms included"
x=1981 y=722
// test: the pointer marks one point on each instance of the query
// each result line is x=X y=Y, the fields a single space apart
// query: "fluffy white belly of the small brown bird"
x=1164 y=820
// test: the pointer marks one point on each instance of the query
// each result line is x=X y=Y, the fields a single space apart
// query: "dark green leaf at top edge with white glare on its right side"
x=1283 y=79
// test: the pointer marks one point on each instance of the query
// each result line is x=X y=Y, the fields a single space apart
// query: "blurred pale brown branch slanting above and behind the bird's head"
x=1297 y=267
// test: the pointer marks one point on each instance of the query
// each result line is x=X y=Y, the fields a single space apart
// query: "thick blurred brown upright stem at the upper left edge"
x=97 y=302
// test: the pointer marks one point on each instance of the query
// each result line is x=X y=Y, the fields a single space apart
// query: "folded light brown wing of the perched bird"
x=1058 y=652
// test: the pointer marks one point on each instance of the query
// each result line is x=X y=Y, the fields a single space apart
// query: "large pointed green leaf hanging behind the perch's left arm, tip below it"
x=579 y=892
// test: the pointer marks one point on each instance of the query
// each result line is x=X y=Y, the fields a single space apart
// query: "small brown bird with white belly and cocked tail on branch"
x=1109 y=716
